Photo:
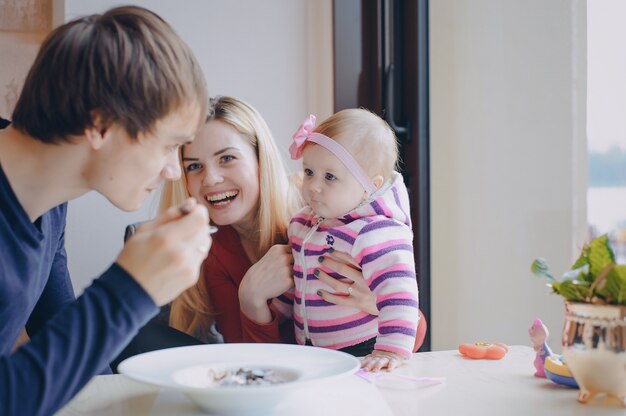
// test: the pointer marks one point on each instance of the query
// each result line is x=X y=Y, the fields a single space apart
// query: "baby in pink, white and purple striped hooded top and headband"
x=356 y=203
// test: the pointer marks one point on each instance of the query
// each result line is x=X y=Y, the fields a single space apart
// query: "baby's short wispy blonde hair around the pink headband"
x=367 y=137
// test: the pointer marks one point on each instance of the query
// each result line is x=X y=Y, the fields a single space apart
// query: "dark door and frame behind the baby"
x=381 y=63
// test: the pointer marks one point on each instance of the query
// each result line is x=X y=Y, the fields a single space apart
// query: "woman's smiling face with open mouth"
x=222 y=171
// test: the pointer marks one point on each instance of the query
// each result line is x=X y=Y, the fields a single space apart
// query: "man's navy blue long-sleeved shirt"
x=71 y=339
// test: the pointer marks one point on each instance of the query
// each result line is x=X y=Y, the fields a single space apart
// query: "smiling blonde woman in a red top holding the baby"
x=234 y=168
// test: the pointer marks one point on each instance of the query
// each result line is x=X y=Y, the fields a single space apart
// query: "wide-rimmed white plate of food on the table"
x=179 y=369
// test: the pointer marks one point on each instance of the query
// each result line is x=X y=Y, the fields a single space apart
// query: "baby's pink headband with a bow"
x=305 y=133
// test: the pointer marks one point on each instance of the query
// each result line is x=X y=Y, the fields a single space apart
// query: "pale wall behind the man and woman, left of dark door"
x=275 y=54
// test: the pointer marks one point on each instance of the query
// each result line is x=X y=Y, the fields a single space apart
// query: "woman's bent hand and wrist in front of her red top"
x=269 y=277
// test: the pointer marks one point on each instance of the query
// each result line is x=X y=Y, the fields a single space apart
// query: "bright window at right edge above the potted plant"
x=606 y=110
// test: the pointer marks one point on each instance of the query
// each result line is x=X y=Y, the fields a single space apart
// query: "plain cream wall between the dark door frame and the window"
x=508 y=160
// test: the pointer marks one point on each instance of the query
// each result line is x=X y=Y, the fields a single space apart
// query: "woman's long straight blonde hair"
x=279 y=199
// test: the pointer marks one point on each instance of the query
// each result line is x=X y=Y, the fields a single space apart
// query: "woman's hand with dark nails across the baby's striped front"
x=355 y=294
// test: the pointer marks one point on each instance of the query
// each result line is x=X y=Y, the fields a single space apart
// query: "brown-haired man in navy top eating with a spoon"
x=105 y=107
